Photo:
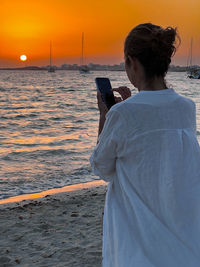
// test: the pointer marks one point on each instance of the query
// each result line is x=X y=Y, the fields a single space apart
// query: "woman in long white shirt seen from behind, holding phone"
x=149 y=154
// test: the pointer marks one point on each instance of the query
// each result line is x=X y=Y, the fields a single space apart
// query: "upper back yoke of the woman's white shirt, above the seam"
x=164 y=109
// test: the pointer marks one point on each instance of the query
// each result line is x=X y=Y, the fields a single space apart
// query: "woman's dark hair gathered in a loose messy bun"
x=153 y=46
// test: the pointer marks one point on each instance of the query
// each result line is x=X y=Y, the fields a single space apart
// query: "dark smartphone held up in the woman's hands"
x=104 y=87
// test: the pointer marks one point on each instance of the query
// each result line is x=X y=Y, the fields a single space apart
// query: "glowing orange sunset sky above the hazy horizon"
x=27 y=26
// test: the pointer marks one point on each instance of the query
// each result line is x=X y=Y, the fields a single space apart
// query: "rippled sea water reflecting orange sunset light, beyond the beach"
x=49 y=123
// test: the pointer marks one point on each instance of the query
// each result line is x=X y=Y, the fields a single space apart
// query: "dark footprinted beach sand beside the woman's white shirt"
x=58 y=230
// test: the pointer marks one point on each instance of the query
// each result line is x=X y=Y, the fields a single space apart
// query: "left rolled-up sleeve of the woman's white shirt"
x=104 y=156
